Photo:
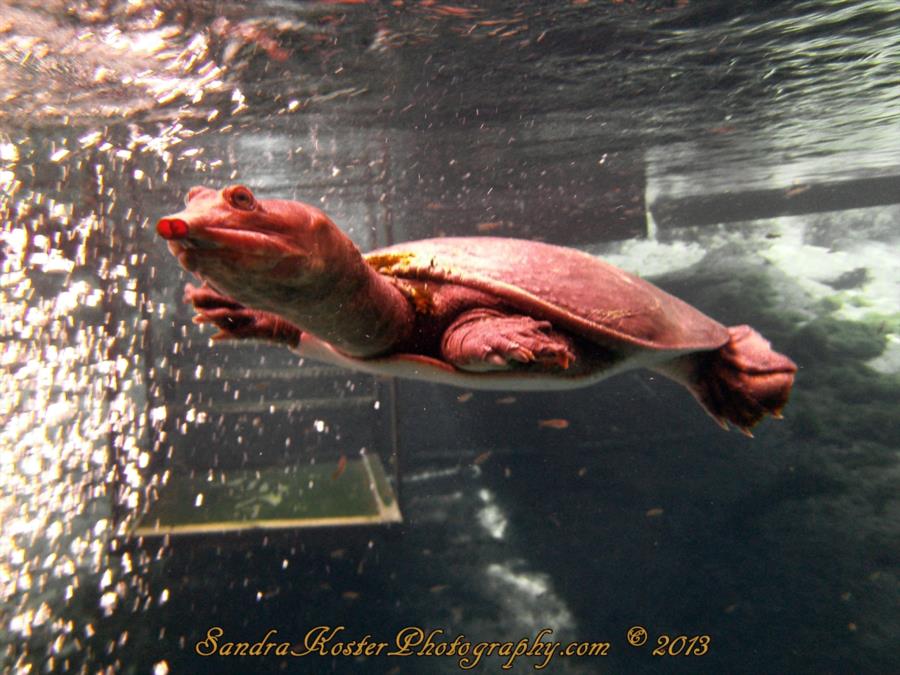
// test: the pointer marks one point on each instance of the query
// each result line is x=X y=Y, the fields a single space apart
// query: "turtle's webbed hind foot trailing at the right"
x=741 y=382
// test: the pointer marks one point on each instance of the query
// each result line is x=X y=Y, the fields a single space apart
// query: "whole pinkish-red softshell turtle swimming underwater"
x=477 y=312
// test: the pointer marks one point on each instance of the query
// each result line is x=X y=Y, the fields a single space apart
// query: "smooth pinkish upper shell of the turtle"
x=570 y=288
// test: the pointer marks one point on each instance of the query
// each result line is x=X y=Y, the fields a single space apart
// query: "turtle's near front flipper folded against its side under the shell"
x=489 y=340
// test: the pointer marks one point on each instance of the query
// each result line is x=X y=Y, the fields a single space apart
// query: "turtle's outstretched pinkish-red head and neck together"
x=288 y=259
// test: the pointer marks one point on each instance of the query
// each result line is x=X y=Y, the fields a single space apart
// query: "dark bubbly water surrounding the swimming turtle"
x=742 y=154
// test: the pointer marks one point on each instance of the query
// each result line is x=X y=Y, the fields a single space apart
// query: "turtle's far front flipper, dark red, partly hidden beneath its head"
x=237 y=322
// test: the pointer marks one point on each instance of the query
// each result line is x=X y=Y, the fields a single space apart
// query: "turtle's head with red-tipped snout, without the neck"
x=252 y=248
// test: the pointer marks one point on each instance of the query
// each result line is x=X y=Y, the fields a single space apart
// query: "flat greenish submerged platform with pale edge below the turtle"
x=345 y=491
